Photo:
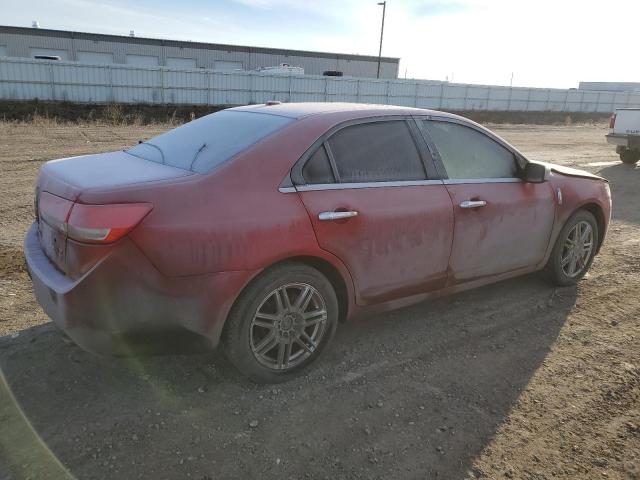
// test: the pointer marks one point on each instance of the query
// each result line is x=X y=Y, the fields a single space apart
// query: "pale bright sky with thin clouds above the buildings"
x=534 y=43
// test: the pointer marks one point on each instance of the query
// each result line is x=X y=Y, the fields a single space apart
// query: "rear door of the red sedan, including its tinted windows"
x=373 y=205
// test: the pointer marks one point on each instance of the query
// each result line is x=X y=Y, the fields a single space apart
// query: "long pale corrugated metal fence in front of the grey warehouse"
x=26 y=79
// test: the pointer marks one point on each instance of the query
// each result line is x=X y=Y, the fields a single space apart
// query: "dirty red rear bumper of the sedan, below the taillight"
x=123 y=304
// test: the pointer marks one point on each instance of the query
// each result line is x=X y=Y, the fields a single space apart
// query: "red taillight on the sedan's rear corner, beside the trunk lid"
x=104 y=223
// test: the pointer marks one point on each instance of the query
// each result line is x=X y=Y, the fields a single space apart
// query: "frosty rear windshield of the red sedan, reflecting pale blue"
x=203 y=144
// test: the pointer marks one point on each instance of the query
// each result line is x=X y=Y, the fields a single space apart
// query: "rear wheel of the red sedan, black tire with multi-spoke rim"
x=240 y=338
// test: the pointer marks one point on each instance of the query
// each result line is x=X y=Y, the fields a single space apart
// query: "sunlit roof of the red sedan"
x=301 y=110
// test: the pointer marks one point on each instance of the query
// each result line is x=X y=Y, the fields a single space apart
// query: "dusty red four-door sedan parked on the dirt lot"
x=261 y=227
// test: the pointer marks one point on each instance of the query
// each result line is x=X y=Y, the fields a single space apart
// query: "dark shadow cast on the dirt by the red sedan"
x=415 y=393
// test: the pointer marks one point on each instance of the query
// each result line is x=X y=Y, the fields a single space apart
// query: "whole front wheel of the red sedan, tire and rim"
x=574 y=250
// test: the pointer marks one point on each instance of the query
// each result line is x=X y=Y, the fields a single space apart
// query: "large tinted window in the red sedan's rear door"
x=376 y=152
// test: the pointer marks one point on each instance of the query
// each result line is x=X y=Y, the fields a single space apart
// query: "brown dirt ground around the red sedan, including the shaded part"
x=515 y=380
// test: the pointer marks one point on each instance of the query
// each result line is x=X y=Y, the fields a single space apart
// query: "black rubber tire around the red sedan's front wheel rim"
x=554 y=270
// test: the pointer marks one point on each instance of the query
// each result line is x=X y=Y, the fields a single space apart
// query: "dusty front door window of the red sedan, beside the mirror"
x=467 y=153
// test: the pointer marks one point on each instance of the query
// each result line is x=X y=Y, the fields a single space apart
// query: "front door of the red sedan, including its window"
x=501 y=222
